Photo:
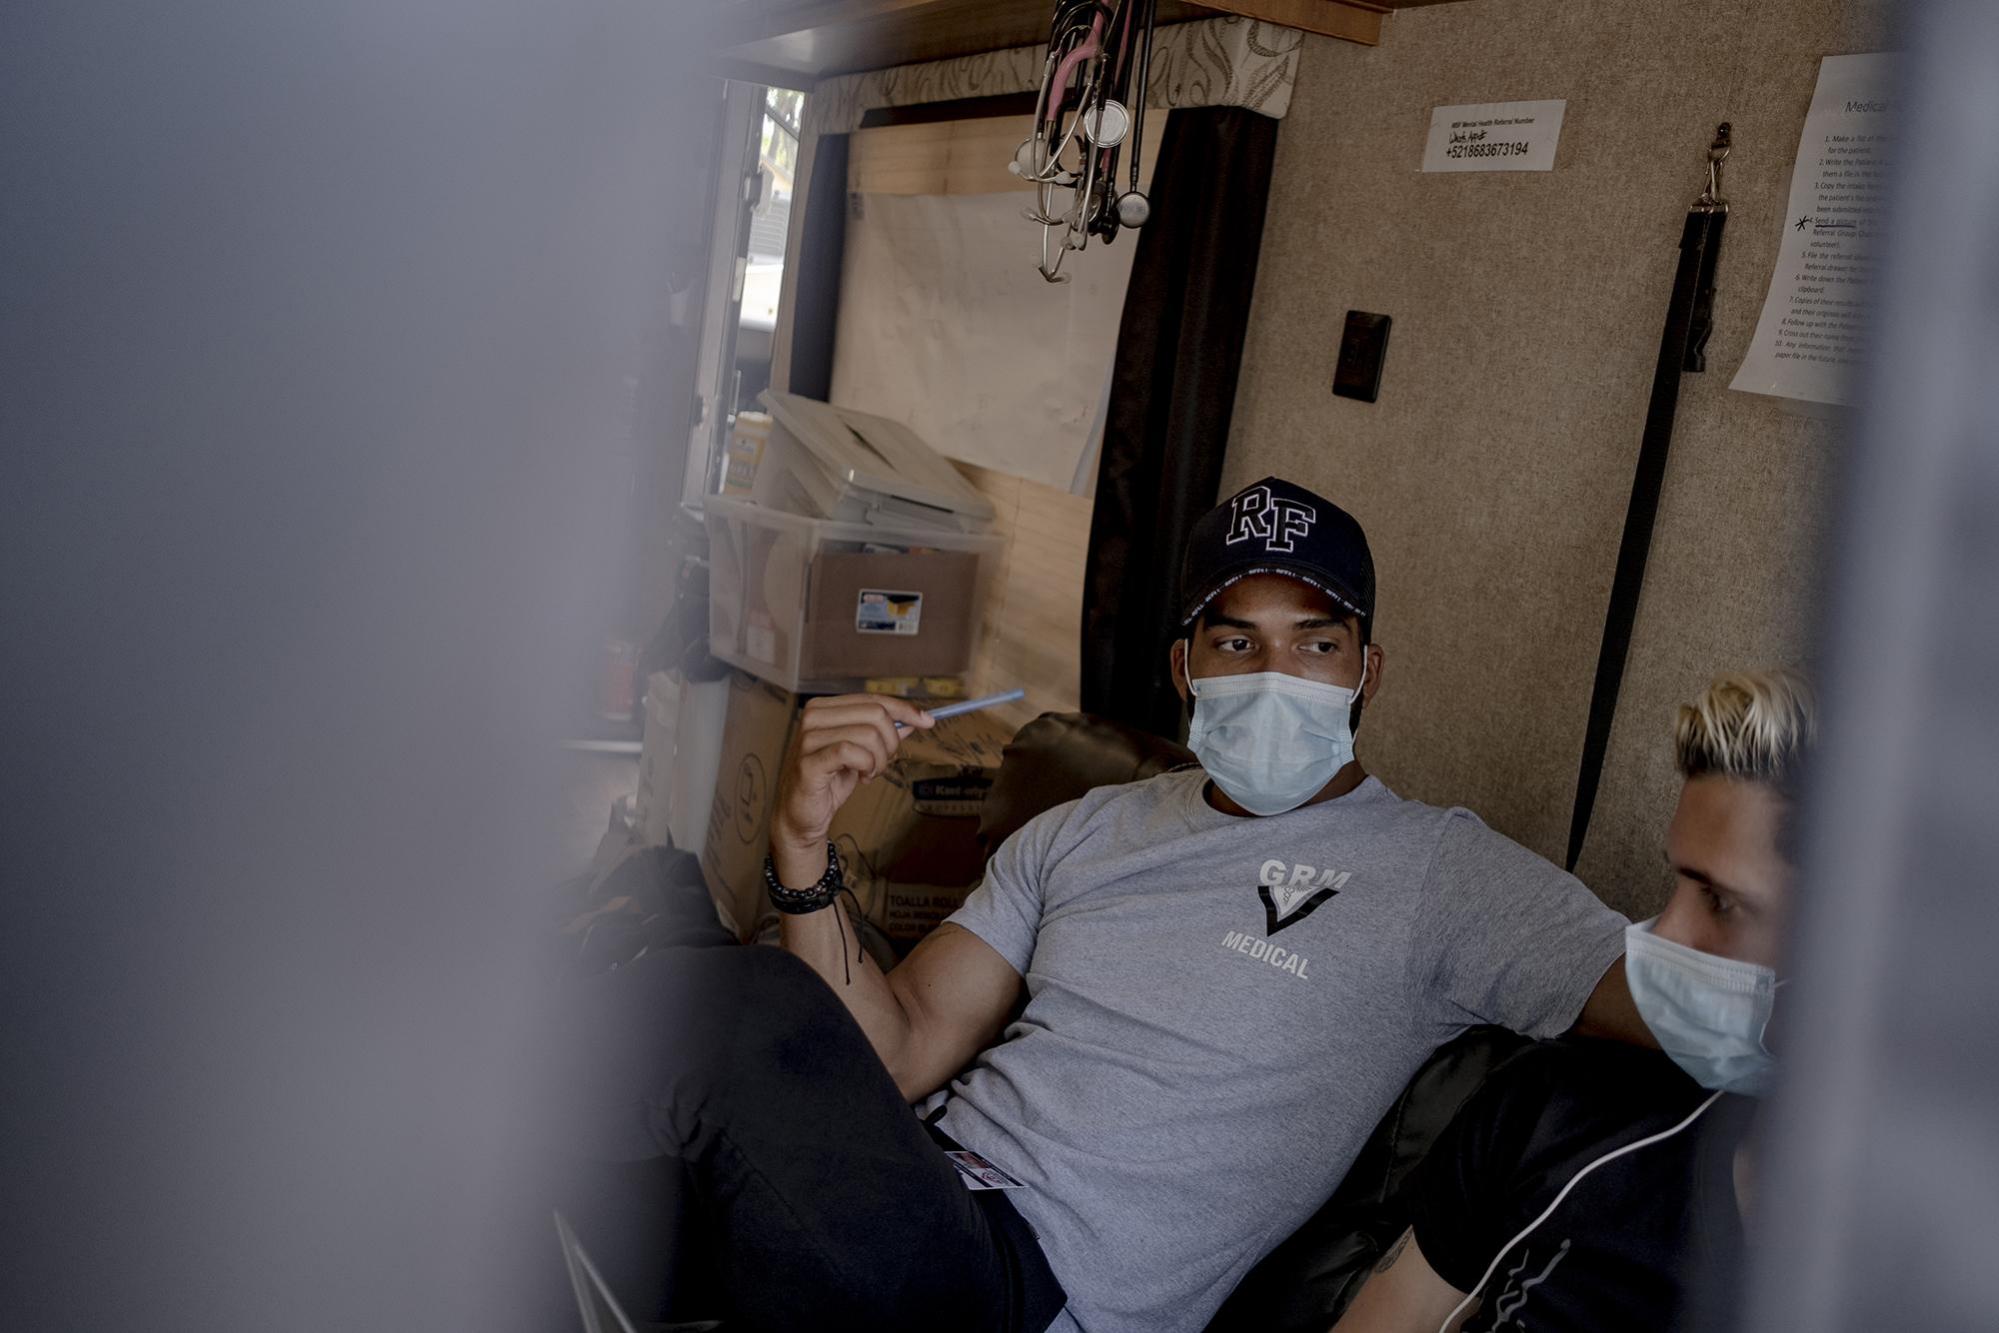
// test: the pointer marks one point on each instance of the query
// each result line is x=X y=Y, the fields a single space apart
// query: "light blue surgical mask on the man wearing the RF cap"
x=1272 y=740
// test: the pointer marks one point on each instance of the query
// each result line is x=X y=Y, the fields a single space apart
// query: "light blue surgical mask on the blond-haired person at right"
x=1706 y=1010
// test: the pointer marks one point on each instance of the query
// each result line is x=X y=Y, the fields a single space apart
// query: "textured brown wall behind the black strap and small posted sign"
x=1494 y=473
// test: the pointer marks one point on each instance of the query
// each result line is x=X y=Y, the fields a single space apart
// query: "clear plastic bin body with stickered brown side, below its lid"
x=821 y=607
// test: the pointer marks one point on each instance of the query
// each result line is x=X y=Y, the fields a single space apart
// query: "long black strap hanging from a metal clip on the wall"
x=1690 y=319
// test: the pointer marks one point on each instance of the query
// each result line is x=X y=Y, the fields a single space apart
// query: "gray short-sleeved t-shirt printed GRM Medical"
x=1220 y=1010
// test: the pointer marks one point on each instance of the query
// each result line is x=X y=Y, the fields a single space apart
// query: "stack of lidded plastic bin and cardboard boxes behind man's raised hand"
x=849 y=553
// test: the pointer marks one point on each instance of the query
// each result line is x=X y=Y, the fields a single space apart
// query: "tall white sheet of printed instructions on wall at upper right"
x=1812 y=333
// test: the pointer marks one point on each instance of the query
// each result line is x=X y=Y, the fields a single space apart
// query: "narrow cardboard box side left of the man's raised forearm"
x=755 y=738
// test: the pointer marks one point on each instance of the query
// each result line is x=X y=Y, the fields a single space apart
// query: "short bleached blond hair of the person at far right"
x=1756 y=726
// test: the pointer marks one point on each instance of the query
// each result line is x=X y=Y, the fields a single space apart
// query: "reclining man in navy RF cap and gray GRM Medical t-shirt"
x=1172 y=1012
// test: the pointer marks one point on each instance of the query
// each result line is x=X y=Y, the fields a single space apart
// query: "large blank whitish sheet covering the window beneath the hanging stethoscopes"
x=947 y=325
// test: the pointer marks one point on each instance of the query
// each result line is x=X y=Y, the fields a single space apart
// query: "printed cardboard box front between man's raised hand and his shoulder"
x=911 y=838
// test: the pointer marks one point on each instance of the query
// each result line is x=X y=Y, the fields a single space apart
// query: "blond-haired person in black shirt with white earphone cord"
x=1588 y=1182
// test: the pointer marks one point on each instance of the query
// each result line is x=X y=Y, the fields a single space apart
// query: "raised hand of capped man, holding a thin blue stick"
x=843 y=742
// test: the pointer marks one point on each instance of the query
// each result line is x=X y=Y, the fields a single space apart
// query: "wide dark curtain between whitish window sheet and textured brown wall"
x=1172 y=397
